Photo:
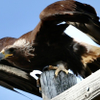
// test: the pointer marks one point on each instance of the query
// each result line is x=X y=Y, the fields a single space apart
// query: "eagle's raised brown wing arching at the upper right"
x=80 y=15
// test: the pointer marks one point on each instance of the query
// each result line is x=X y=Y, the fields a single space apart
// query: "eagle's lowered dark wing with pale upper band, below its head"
x=11 y=78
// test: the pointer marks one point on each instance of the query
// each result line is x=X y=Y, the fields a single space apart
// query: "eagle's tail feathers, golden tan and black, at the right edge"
x=90 y=55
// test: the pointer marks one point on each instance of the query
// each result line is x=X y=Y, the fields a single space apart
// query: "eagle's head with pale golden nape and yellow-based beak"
x=19 y=54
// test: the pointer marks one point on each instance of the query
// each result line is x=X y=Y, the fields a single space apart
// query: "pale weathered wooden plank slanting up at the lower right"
x=88 y=89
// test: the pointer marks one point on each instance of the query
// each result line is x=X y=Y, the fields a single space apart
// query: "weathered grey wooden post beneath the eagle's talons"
x=52 y=86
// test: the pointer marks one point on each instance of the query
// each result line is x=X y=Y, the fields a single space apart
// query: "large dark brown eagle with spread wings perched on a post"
x=48 y=44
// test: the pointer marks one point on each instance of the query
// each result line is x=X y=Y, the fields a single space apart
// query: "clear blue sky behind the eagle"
x=20 y=16
